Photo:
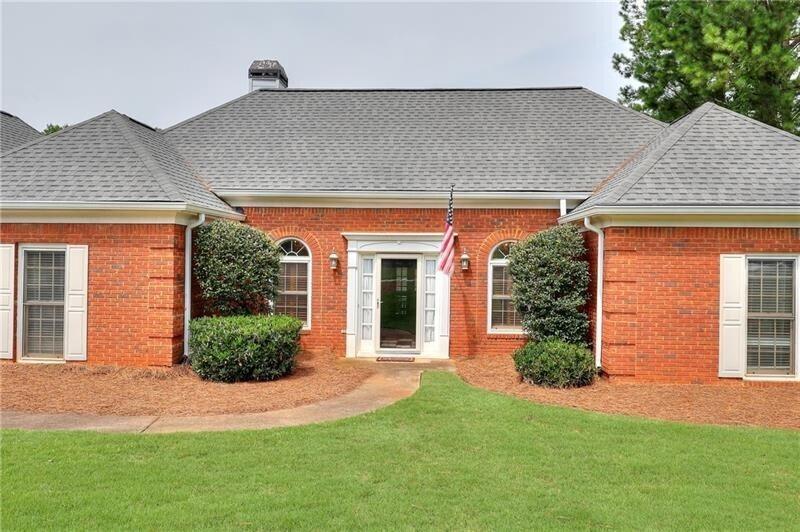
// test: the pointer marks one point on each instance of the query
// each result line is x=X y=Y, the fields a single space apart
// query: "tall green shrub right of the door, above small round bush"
x=551 y=279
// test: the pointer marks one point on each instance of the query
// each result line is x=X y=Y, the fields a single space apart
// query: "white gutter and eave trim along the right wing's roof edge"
x=643 y=214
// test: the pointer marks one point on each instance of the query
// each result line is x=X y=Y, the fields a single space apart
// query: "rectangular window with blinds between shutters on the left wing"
x=43 y=304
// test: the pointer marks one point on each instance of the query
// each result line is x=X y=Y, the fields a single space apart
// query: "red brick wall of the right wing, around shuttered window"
x=661 y=297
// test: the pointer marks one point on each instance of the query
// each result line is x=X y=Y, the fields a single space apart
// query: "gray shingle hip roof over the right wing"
x=712 y=156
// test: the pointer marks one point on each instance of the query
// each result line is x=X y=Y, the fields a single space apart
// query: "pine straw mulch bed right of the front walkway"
x=731 y=404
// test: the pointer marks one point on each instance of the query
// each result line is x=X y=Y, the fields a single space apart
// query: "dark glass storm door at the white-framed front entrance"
x=398 y=304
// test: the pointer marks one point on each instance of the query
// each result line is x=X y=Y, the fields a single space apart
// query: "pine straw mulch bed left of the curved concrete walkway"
x=174 y=391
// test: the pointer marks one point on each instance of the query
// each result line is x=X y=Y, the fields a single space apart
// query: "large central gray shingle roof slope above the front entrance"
x=412 y=140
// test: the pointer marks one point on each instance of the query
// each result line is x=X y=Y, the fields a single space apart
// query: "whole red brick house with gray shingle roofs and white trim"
x=693 y=228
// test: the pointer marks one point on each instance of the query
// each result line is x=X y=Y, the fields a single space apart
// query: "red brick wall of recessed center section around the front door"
x=478 y=231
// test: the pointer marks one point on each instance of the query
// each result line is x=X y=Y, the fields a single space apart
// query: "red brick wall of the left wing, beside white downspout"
x=135 y=312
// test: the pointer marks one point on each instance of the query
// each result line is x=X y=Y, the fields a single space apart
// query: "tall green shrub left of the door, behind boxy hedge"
x=236 y=267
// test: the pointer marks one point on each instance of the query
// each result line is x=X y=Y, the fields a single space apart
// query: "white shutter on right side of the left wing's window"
x=77 y=302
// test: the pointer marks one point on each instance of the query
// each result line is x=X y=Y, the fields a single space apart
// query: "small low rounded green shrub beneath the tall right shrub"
x=555 y=364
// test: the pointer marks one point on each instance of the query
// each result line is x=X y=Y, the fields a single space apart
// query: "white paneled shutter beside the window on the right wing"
x=732 y=315
